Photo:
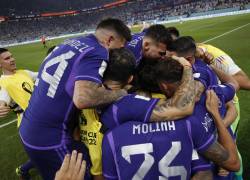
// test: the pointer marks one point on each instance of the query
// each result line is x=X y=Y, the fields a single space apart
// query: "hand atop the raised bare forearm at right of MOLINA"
x=212 y=102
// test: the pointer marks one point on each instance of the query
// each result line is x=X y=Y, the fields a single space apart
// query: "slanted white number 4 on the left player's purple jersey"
x=54 y=80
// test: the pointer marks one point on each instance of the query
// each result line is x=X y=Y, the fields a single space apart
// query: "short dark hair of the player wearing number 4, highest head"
x=117 y=26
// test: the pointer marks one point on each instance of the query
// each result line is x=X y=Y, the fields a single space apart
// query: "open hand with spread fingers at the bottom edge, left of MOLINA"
x=73 y=167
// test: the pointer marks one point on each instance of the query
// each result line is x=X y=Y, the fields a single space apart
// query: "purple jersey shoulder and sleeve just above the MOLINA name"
x=129 y=108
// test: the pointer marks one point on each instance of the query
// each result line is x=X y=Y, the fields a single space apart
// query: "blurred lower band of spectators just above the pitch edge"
x=133 y=12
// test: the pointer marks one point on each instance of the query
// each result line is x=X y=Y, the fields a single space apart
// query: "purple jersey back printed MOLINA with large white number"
x=148 y=151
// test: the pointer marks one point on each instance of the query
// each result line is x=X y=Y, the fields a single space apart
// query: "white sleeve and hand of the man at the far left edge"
x=4 y=101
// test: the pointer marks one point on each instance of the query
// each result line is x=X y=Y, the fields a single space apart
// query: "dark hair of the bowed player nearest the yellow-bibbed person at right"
x=183 y=45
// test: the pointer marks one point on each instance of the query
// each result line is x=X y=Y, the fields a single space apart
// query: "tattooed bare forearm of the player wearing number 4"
x=88 y=94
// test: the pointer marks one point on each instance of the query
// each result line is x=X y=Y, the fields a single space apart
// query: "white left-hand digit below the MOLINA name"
x=148 y=162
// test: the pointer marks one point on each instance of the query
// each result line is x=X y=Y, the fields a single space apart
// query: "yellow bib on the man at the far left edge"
x=19 y=87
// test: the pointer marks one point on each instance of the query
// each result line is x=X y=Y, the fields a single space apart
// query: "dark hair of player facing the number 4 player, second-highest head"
x=159 y=34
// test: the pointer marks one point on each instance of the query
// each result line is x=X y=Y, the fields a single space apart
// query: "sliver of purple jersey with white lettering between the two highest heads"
x=135 y=46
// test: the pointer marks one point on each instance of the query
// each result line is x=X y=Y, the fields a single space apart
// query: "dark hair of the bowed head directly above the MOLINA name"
x=168 y=71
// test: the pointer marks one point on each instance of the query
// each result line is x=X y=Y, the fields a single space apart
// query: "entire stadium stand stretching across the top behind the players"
x=81 y=16
